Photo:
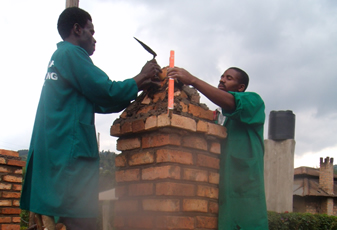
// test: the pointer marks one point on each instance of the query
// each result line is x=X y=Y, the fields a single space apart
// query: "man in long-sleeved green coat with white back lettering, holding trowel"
x=63 y=163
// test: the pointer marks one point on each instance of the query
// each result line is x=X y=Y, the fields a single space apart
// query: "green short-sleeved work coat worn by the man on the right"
x=242 y=203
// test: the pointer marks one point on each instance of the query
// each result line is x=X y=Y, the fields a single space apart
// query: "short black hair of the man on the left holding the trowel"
x=69 y=17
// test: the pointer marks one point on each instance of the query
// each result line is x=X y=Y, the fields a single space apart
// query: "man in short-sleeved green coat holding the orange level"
x=242 y=203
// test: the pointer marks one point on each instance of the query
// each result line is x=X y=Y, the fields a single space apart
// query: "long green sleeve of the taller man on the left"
x=74 y=64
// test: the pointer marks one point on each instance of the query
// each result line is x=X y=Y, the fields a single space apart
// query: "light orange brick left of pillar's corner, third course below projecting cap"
x=162 y=172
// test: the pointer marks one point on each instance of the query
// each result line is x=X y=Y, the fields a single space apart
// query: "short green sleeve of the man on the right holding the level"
x=249 y=108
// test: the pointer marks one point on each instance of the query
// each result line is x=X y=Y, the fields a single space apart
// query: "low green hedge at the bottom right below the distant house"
x=301 y=221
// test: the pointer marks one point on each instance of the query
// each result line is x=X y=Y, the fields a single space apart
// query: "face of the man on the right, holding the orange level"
x=229 y=81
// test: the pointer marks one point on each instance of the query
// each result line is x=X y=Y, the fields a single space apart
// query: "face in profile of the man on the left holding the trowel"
x=86 y=39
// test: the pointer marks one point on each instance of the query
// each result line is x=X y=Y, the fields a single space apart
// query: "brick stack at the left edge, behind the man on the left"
x=10 y=189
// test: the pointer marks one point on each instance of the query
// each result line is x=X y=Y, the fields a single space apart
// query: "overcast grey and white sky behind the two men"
x=288 y=48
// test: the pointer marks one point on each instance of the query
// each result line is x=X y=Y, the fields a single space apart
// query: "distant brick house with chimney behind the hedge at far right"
x=315 y=190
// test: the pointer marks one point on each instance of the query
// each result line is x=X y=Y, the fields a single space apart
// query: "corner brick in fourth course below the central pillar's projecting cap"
x=175 y=189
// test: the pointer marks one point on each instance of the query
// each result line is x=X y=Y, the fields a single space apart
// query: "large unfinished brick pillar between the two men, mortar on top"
x=167 y=174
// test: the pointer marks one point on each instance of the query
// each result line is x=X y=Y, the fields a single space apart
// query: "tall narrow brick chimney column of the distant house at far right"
x=326 y=182
